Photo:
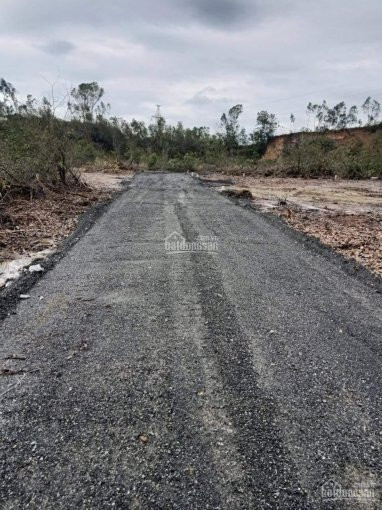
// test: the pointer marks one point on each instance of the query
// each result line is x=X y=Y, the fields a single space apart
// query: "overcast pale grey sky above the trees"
x=197 y=57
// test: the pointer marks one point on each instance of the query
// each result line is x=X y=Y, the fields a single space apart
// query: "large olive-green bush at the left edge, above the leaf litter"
x=40 y=149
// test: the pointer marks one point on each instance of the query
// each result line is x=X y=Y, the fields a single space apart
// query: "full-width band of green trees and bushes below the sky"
x=38 y=148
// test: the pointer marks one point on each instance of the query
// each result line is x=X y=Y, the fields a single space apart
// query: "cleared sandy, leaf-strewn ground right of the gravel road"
x=343 y=214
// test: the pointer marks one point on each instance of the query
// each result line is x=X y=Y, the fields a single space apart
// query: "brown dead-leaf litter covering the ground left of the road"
x=31 y=225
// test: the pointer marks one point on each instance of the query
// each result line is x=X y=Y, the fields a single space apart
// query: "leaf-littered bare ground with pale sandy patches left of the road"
x=30 y=227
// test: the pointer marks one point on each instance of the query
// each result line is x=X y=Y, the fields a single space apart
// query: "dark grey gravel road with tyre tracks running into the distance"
x=247 y=376
